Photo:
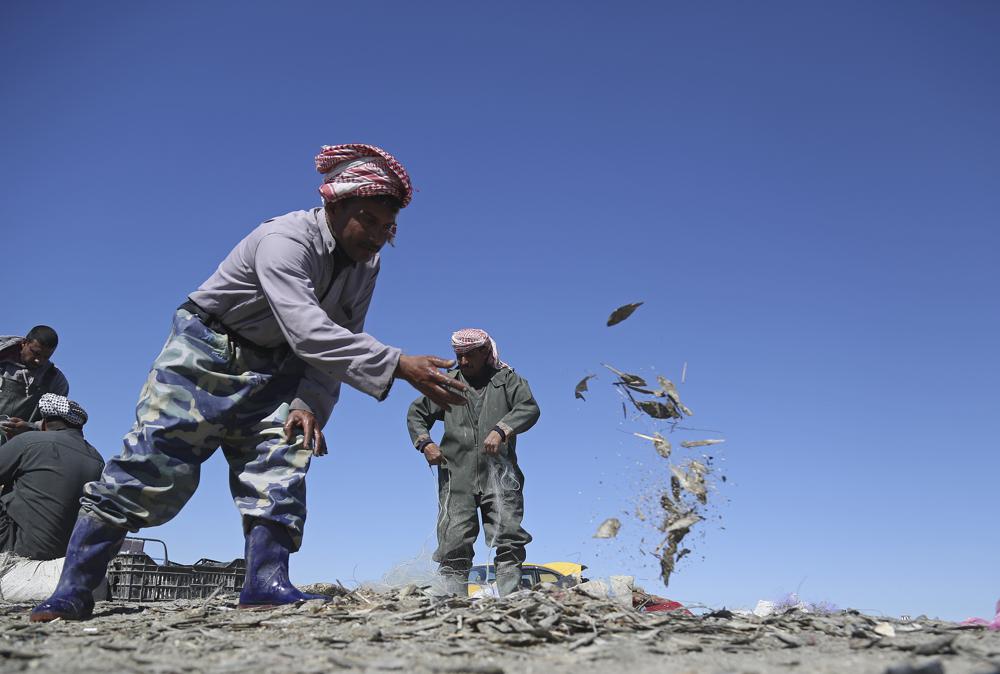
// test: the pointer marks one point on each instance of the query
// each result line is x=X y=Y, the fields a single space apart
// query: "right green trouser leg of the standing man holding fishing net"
x=503 y=510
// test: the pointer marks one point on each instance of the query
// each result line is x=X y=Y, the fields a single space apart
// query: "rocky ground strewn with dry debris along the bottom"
x=550 y=632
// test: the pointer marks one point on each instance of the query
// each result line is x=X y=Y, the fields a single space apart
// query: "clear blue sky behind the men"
x=805 y=195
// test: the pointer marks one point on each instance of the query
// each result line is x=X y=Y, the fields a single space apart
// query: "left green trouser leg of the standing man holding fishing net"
x=457 y=530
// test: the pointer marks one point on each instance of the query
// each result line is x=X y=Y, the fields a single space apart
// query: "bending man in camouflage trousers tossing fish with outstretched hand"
x=259 y=350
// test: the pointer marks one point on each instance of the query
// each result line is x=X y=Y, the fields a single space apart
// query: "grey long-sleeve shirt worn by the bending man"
x=278 y=286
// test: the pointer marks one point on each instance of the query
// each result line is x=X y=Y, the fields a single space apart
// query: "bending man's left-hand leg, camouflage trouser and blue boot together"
x=194 y=383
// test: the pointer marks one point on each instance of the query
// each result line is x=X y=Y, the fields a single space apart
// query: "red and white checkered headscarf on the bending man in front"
x=357 y=170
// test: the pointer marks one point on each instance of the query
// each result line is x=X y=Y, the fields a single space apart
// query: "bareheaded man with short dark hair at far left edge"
x=26 y=374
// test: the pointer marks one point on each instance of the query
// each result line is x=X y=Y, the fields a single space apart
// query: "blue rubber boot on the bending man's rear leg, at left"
x=93 y=543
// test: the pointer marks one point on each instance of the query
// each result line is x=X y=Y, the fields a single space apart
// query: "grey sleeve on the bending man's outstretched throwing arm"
x=283 y=268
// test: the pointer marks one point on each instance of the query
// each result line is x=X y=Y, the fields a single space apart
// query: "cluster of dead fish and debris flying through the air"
x=681 y=504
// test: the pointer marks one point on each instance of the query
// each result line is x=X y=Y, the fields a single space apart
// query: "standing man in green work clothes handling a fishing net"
x=477 y=462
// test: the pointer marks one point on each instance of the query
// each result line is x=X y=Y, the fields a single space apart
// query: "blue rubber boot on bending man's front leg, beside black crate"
x=266 y=583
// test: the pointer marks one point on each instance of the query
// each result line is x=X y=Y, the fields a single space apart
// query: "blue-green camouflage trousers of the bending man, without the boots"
x=207 y=391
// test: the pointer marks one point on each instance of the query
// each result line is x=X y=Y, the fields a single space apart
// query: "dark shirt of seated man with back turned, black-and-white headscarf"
x=43 y=473
